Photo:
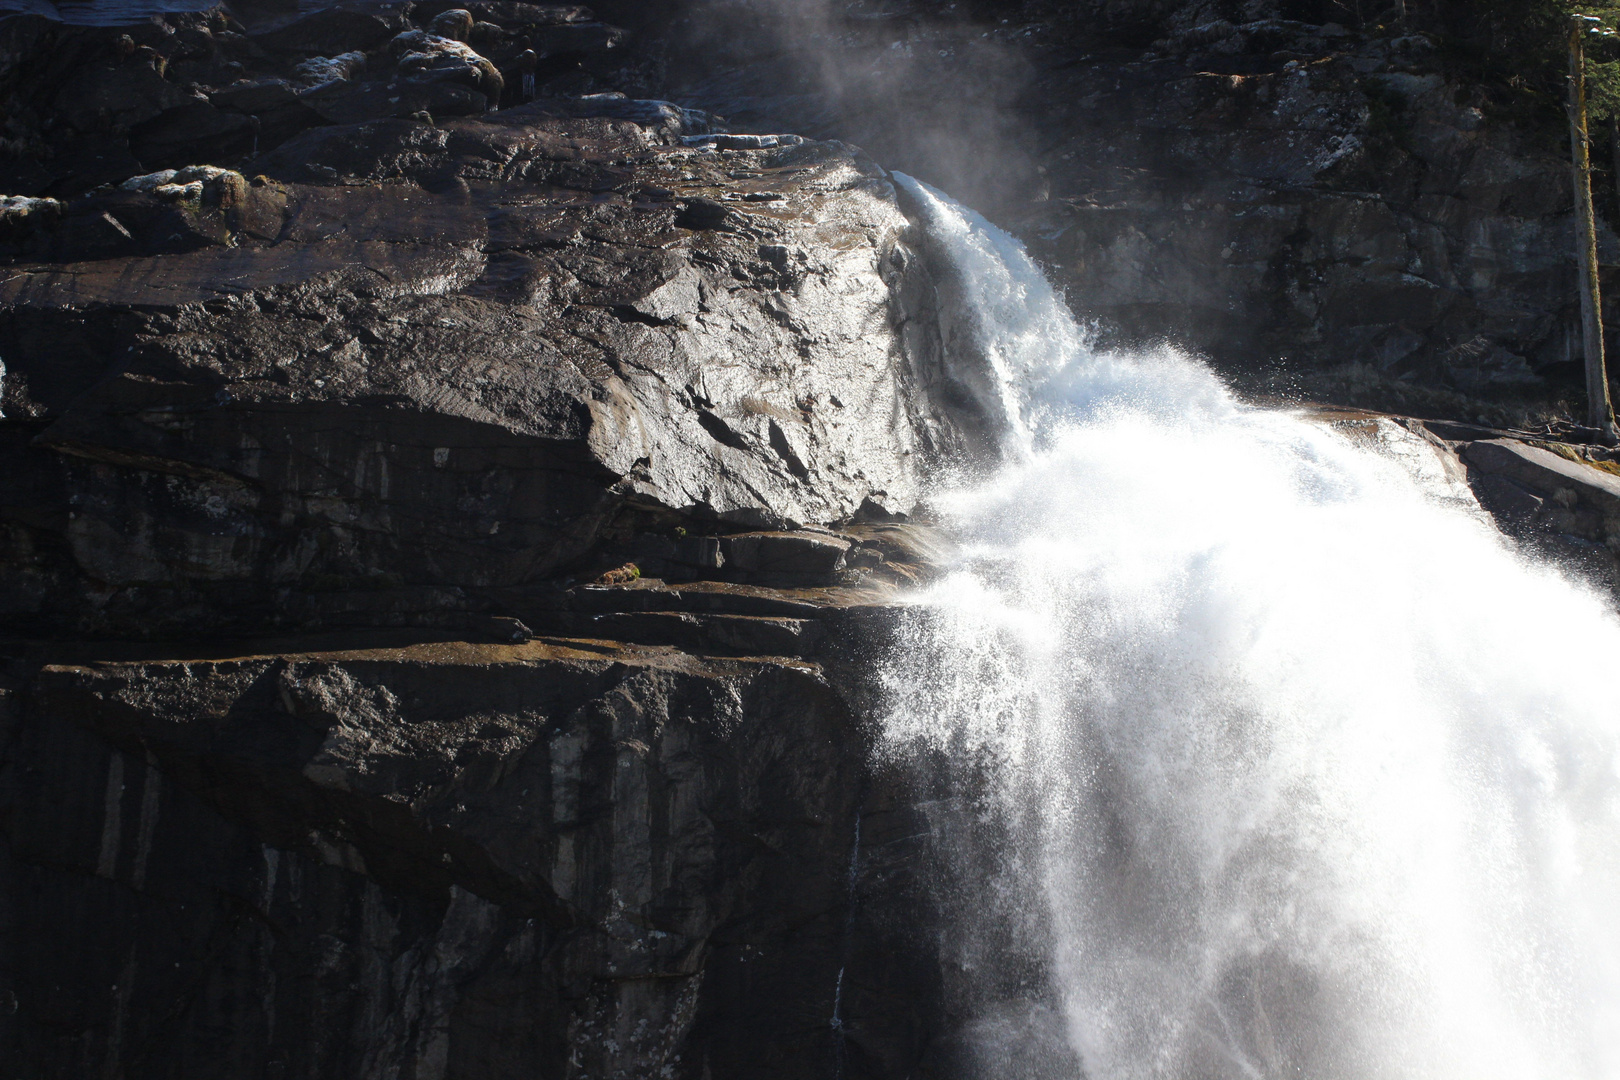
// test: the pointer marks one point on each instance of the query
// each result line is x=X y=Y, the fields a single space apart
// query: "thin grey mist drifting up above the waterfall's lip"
x=934 y=90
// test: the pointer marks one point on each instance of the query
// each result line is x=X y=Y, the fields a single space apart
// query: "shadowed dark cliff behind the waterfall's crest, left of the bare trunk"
x=1315 y=208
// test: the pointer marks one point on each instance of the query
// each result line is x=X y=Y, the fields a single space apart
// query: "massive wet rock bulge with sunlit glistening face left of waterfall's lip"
x=458 y=357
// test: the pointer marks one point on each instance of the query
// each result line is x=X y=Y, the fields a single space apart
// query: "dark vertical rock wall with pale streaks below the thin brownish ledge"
x=438 y=861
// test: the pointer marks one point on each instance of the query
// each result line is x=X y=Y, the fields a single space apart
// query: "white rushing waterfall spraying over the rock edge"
x=1287 y=767
